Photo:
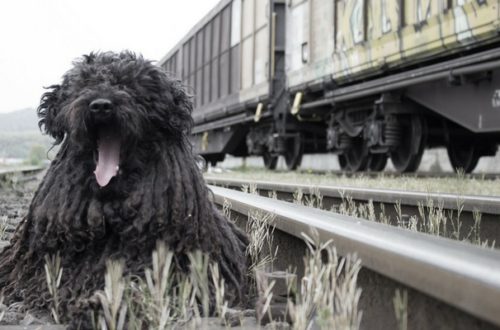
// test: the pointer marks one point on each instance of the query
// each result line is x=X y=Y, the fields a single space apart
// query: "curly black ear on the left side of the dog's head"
x=49 y=113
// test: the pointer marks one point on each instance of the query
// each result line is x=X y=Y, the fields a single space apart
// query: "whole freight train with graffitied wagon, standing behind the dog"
x=365 y=79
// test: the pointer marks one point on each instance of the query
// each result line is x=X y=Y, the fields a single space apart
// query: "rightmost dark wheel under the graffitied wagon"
x=463 y=155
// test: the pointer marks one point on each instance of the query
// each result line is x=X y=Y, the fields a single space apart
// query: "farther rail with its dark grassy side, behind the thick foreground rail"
x=398 y=206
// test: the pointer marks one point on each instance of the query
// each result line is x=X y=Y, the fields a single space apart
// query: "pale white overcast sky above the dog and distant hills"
x=40 y=38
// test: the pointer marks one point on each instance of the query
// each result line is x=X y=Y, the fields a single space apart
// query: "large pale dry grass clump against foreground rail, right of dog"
x=329 y=295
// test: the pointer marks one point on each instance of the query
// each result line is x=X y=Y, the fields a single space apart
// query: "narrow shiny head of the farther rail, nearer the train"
x=483 y=204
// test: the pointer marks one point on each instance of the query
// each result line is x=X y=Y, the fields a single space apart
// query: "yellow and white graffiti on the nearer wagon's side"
x=372 y=35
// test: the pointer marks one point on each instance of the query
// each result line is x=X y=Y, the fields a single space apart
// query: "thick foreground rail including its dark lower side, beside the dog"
x=450 y=284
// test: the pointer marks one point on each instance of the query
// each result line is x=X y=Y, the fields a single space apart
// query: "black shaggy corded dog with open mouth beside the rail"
x=123 y=179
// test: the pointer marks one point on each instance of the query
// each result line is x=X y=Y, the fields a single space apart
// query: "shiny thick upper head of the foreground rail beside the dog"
x=460 y=274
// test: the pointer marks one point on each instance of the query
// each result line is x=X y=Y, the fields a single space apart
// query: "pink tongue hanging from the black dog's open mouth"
x=109 y=156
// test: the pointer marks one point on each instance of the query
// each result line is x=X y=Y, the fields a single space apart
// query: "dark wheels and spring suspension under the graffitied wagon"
x=401 y=130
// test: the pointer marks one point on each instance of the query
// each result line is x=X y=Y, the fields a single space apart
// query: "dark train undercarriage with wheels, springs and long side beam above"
x=455 y=106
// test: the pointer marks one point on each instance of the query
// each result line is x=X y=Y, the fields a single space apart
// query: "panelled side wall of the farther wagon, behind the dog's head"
x=225 y=58
